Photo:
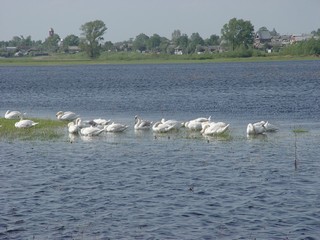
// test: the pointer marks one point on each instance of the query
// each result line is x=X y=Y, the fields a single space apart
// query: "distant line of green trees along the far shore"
x=237 y=37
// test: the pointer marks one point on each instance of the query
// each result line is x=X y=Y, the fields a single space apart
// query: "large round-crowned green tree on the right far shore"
x=238 y=33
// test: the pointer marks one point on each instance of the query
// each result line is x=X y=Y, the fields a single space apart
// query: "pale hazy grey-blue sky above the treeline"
x=126 y=19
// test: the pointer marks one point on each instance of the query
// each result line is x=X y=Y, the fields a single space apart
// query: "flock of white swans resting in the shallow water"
x=97 y=126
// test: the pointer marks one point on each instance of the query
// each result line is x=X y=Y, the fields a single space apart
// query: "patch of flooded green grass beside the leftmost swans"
x=46 y=130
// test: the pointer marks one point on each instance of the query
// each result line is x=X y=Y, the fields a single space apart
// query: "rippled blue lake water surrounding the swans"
x=138 y=185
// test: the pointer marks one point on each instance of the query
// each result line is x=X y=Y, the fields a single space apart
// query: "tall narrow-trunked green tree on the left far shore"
x=91 y=37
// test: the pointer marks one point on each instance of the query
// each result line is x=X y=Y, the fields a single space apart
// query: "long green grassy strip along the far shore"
x=139 y=58
